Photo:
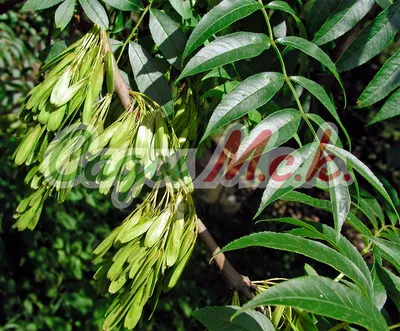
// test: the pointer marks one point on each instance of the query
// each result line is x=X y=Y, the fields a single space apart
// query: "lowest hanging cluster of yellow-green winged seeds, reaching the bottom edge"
x=149 y=252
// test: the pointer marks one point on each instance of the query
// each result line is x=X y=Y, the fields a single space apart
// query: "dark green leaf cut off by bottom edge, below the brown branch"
x=218 y=318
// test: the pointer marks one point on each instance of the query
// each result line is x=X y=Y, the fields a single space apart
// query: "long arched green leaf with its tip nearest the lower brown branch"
x=306 y=247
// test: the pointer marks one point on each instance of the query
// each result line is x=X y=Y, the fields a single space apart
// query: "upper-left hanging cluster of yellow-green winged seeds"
x=68 y=97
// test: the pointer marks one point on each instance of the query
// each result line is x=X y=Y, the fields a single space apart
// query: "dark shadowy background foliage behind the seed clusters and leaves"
x=46 y=275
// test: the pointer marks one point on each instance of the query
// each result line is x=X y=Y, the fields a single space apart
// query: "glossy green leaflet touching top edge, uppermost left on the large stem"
x=218 y=18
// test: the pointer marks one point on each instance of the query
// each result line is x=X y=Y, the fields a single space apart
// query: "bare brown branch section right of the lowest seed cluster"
x=235 y=280
